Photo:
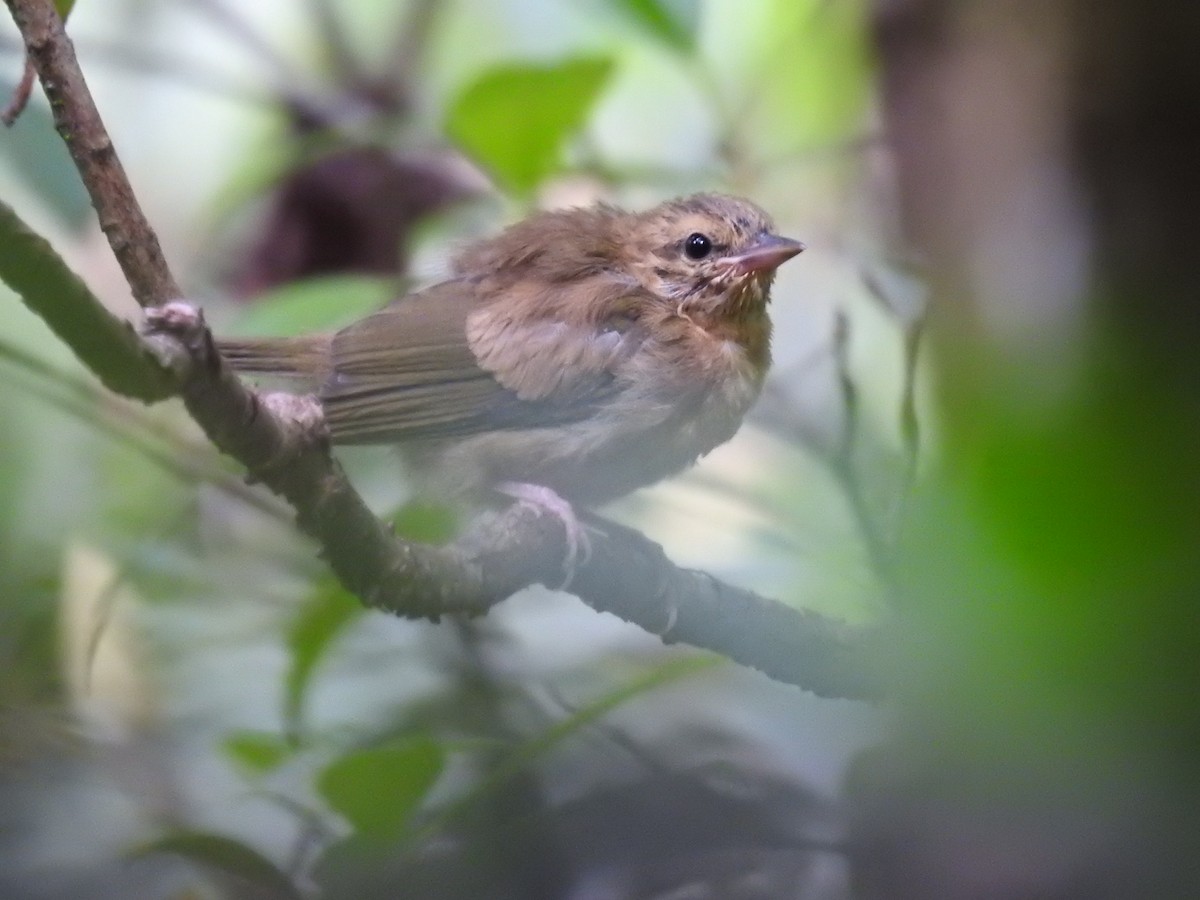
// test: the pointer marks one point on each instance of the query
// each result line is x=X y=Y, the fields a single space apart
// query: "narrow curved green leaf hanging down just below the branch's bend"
x=328 y=613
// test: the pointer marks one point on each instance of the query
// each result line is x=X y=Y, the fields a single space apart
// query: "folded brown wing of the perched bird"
x=440 y=364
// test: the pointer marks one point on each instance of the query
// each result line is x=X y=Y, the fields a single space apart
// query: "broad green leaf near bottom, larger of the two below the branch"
x=380 y=789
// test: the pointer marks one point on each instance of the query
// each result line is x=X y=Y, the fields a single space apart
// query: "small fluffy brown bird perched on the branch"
x=578 y=356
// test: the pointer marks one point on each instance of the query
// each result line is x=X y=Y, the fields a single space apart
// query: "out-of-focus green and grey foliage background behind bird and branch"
x=980 y=435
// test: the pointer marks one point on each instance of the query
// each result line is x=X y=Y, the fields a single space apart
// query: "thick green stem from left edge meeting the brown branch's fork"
x=109 y=346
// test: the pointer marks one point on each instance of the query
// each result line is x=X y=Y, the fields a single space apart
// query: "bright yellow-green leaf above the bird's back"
x=515 y=118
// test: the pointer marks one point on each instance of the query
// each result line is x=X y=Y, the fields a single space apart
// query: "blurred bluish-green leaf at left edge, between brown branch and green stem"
x=37 y=153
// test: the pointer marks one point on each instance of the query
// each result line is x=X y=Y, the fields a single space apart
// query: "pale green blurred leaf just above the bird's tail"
x=323 y=304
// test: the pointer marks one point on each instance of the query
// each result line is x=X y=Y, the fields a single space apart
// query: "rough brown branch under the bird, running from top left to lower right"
x=280 y=440
